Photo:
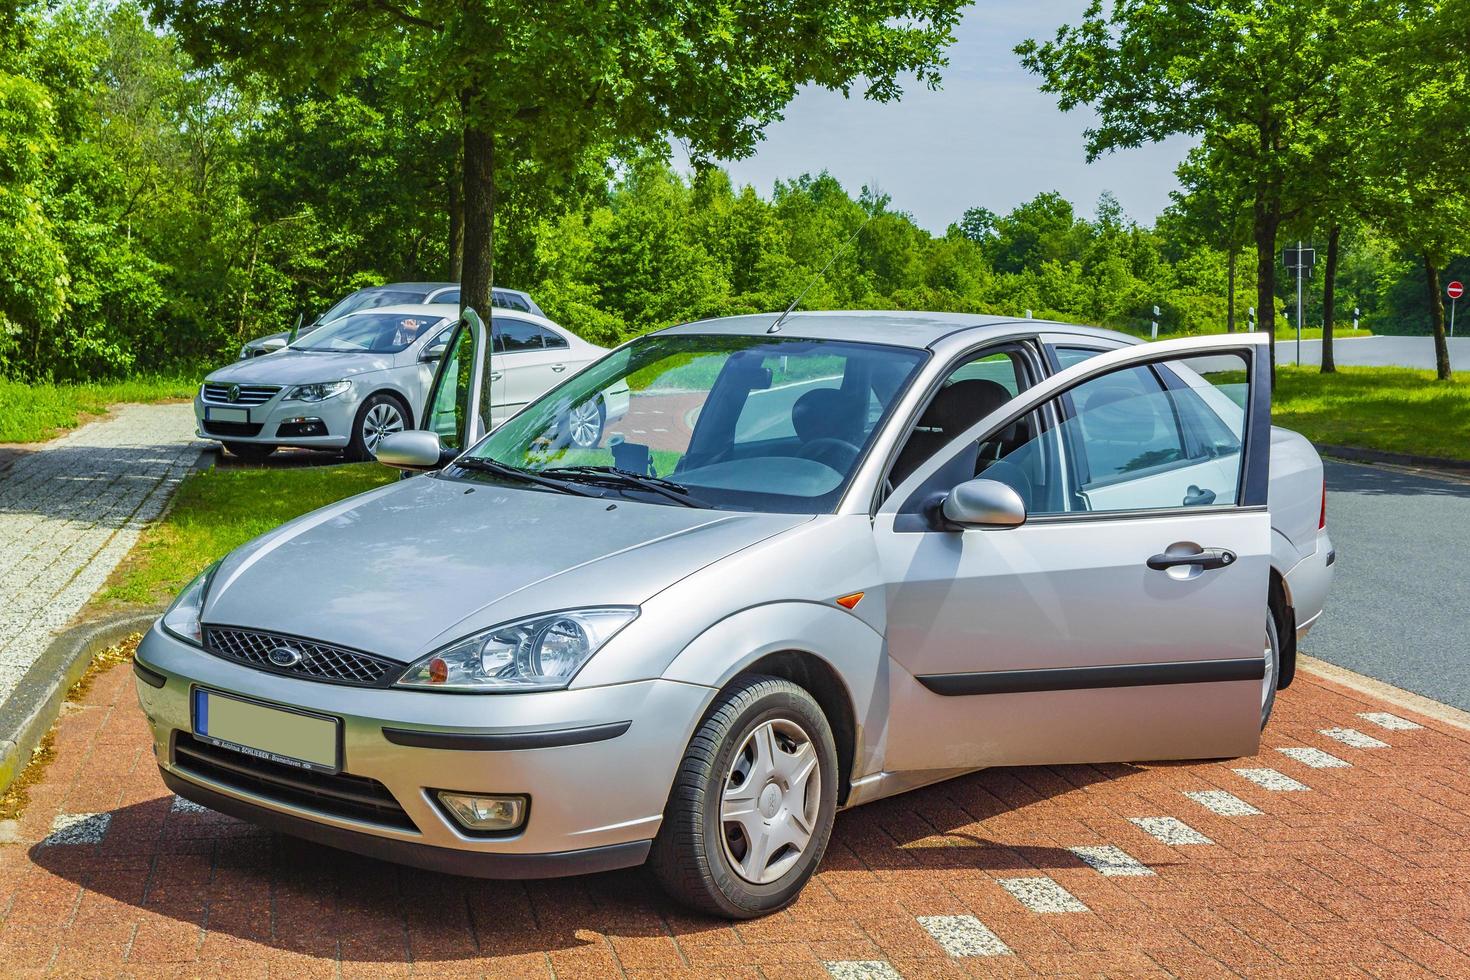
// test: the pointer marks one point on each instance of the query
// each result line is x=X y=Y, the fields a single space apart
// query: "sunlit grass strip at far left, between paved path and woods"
x=35 y=414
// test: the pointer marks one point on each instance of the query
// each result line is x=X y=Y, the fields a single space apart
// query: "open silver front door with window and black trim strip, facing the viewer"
x=1056 y=641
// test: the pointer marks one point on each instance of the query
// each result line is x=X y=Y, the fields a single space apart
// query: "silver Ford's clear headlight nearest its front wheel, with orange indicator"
x=534 y=655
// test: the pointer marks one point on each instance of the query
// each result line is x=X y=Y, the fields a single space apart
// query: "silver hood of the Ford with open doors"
x=408 y=568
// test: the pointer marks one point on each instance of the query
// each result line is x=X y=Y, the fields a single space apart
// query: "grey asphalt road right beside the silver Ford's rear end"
x=1400 y=608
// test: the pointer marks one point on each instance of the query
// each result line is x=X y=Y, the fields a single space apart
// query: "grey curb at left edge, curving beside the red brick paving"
x=37 y=700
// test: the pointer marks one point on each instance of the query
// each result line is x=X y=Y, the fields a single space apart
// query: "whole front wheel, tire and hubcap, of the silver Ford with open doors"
x=705 y=859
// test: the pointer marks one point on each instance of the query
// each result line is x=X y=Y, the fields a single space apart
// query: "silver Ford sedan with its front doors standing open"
x=820 y=563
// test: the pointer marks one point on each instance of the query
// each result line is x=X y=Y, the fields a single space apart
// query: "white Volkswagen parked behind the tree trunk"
x=354 y=381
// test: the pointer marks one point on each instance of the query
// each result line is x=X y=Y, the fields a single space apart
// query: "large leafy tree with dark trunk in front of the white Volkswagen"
x=534 y=96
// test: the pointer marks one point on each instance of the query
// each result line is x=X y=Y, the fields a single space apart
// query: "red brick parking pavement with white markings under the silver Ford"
x=1340 y=850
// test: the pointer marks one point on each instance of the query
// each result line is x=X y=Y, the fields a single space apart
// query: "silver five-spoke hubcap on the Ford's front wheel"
x=771 y=801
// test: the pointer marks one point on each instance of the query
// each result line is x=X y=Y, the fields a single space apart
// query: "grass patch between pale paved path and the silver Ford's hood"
x=218 y=511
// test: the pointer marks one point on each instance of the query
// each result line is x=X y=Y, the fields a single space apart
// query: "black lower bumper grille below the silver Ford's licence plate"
x=342 y=796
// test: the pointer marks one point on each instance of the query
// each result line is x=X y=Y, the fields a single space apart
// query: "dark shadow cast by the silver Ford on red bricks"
x=251 y=888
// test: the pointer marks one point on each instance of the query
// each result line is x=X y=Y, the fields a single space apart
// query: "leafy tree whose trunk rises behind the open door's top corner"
x=1256 y=83
